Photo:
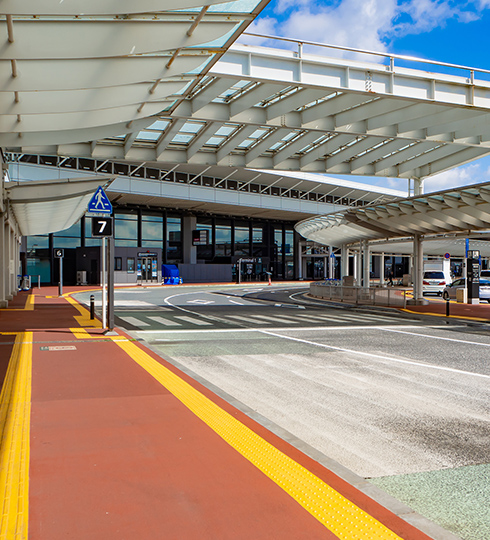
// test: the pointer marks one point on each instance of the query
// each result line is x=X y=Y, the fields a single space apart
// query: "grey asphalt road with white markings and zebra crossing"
x=401 y=400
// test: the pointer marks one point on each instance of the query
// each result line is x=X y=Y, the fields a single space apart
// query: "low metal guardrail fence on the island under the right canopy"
x=372 y=296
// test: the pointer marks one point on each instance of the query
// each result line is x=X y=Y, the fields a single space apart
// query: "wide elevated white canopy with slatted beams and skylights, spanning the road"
x=267 y=108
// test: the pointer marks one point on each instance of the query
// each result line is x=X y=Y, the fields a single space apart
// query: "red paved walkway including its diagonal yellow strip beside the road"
x=114 y=453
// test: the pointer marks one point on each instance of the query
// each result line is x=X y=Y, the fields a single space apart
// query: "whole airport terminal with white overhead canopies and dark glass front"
x=219 y=156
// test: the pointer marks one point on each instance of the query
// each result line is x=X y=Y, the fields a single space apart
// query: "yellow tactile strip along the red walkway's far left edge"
x=15 y=412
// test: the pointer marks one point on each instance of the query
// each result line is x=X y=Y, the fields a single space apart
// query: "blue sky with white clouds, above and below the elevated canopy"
x=450 y=31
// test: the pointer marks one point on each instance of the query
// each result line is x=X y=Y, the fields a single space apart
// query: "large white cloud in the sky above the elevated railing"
x=364 y=24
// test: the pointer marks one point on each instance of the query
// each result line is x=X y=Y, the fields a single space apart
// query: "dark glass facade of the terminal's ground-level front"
x=270 y=244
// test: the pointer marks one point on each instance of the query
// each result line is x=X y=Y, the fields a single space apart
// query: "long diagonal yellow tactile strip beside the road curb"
x=333 y=510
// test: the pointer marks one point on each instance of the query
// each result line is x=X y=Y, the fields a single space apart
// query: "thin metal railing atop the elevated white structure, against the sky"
x=389 y=58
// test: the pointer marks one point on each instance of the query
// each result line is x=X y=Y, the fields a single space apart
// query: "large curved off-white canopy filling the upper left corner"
x=105 y=65
